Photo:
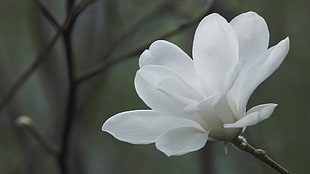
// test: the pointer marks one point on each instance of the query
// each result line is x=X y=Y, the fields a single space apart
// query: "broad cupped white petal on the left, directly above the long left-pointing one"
x=147 y=83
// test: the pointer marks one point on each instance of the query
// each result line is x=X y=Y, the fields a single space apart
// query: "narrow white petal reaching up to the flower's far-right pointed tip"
x=254 y=75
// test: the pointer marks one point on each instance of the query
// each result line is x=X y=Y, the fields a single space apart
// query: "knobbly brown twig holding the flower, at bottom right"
x=241 y=143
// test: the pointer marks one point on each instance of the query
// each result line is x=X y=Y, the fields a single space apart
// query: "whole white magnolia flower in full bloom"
x=204 y=98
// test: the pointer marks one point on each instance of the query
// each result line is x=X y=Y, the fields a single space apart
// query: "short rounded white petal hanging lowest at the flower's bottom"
x=183 y=140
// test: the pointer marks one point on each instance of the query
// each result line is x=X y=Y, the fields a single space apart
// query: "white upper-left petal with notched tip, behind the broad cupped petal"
x=167 y=54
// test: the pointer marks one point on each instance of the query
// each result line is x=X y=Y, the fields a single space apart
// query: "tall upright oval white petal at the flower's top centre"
x=215 y=51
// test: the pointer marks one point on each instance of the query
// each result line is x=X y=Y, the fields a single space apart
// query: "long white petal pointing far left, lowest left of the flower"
x=143 y=126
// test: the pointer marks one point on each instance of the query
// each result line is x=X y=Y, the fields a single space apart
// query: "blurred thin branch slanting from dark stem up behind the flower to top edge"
x=99 y=68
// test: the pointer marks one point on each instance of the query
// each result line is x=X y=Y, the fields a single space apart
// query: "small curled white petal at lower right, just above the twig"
x=254 y=116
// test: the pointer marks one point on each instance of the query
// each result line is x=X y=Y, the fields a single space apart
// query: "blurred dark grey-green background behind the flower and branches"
x=109 y=29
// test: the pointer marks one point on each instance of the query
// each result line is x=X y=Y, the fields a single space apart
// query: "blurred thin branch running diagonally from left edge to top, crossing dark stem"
x=15 y=86
